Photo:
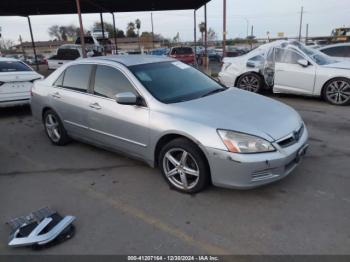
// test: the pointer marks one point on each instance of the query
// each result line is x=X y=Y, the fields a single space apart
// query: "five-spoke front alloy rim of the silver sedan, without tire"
x=181 y=168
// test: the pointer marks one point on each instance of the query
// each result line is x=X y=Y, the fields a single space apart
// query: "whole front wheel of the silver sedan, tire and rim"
x=184 y=166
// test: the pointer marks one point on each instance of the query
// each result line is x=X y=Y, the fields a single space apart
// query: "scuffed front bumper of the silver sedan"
x=245 y=171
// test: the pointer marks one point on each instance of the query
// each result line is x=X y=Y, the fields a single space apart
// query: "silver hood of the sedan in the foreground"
x=241 y=111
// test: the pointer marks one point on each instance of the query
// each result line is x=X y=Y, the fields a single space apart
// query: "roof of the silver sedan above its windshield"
x=130 y=60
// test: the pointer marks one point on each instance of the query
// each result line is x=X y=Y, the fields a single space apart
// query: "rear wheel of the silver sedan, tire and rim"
x=55 y=129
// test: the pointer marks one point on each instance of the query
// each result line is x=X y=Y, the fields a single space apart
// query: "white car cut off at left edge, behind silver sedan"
x=16 y=81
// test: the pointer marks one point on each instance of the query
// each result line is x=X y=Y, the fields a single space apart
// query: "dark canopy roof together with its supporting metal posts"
x=59 y=7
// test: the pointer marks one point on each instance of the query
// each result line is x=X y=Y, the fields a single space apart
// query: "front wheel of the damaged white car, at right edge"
x=337 y=91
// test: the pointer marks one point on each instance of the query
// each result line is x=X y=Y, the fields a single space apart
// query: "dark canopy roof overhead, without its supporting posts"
x=55 y=7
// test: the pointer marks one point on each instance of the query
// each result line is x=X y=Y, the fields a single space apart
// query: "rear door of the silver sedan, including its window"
x=70 y=98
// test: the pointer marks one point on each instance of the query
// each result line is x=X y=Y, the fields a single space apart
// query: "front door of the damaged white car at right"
x=290 y=76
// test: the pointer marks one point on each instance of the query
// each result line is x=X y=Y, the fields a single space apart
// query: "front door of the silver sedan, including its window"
x=123 y=127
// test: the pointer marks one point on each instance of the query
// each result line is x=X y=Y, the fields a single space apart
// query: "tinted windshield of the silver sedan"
x=173 y=82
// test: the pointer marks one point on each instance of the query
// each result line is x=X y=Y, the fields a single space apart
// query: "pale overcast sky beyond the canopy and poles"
x=271 y=16
